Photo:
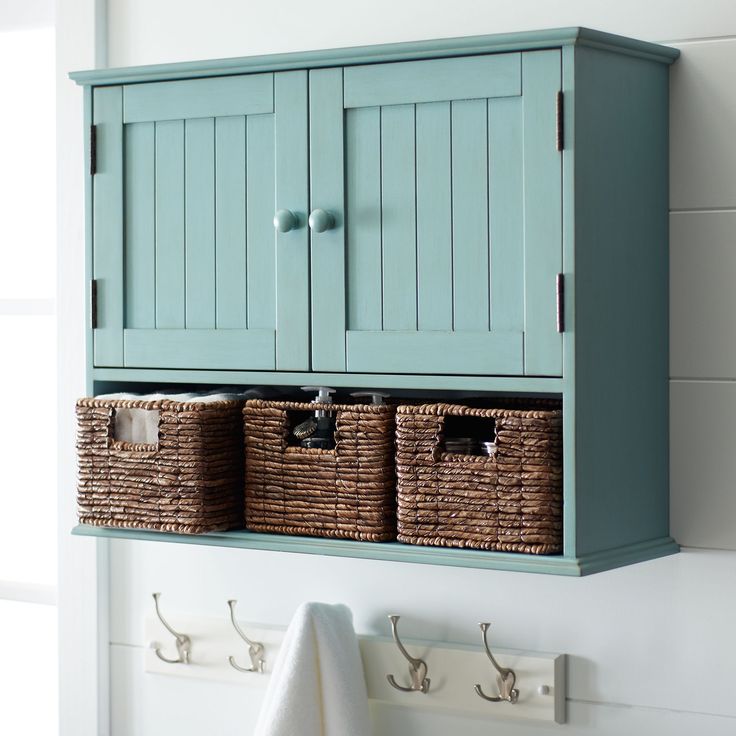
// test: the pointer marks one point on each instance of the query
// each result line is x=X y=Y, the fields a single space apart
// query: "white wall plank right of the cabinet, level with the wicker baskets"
x=703 y=463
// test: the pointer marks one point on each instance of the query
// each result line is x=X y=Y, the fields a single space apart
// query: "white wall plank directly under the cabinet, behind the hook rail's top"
x=611 y=624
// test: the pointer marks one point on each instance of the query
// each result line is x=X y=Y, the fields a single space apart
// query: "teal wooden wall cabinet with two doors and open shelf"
x=485 y=214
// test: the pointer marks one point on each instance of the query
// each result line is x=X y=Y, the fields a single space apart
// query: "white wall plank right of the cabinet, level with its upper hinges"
x=702 y=122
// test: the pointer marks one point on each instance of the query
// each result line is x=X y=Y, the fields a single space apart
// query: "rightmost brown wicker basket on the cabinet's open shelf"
x=510 y=502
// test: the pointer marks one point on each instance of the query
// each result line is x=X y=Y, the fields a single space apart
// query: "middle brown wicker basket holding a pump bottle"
x=347 y=492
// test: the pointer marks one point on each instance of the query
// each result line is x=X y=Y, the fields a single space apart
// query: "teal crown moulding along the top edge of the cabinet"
x=428 y=49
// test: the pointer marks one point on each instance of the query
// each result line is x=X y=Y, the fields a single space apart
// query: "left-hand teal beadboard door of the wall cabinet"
x=190 y=271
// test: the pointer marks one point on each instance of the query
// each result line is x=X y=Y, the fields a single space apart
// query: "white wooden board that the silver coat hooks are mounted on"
x=455 y=669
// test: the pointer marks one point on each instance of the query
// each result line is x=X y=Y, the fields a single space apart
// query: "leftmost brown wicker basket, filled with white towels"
x=190 y=482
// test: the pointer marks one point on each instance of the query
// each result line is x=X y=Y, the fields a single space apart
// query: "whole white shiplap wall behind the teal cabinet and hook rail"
x=651 y=646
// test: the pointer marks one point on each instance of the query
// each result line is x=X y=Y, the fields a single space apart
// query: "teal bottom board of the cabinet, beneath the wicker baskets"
x=397 y=552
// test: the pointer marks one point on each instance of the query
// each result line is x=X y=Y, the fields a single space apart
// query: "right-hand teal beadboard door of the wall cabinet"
x=444 y=180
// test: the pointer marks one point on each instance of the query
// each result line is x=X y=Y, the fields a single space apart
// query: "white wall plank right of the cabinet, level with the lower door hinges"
x=702 y=295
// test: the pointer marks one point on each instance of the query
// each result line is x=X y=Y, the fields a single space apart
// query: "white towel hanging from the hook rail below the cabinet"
x=317 y=687
